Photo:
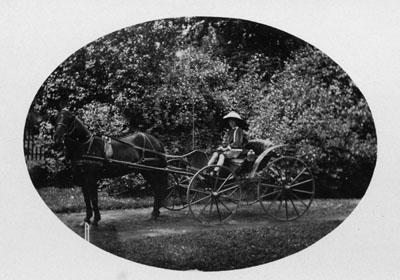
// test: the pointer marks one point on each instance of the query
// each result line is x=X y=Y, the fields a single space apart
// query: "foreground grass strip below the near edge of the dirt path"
x=221 y=249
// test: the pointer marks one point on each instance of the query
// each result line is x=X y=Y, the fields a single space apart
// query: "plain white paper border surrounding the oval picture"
x=36 y=36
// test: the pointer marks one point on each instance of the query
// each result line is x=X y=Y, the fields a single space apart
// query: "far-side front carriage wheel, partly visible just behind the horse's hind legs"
x=175 y=197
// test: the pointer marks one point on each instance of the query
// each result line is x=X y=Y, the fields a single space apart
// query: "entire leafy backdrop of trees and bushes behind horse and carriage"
x=176 y=78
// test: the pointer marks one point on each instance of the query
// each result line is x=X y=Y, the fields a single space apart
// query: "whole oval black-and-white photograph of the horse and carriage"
x=200 y=143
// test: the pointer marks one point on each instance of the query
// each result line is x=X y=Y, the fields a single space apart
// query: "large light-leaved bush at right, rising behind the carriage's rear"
x=313 y=105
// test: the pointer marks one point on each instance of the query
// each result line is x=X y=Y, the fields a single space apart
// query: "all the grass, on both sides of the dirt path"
x=217 y=249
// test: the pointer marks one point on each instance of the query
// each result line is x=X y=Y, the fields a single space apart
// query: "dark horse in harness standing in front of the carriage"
x=94 y=157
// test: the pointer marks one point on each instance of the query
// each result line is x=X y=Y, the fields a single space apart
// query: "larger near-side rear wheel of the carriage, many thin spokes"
x=286 y=188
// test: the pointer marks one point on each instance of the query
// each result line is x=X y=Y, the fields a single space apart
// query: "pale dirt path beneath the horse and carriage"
x=135 y=223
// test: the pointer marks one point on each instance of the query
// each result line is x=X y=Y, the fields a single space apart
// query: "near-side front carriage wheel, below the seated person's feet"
x=214 y=198
